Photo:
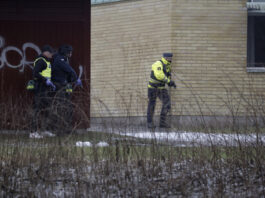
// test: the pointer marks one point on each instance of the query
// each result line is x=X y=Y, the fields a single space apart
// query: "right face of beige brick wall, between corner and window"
x=210 y=44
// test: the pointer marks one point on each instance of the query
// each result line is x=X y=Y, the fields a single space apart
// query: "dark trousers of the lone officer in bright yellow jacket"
x=163 y=95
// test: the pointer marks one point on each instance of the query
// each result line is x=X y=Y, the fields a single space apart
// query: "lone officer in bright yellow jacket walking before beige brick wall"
x=160 y=76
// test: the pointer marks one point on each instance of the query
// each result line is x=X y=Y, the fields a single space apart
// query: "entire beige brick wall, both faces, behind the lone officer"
x=208 y=38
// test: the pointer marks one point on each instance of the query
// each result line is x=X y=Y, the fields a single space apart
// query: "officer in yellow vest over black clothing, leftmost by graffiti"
x=43 y=85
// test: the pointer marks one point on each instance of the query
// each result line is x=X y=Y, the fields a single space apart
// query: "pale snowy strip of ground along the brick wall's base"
x=183 y=138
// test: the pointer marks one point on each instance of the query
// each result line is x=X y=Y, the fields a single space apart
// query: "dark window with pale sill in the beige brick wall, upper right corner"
x=256 y=36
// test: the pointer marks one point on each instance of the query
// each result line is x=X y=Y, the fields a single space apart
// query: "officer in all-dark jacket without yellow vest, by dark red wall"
x=64 y=77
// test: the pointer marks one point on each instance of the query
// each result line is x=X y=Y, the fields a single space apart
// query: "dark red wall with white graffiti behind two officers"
x=25 y=26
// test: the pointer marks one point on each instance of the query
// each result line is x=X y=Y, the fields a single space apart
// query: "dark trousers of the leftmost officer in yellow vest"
x=41 y=107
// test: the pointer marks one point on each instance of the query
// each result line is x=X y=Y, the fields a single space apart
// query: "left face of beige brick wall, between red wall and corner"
x=126 y=38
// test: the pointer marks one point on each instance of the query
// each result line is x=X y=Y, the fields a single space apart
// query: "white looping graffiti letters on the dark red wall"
x=24 y=62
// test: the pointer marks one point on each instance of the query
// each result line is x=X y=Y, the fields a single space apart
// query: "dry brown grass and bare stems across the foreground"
x=55 y=167
